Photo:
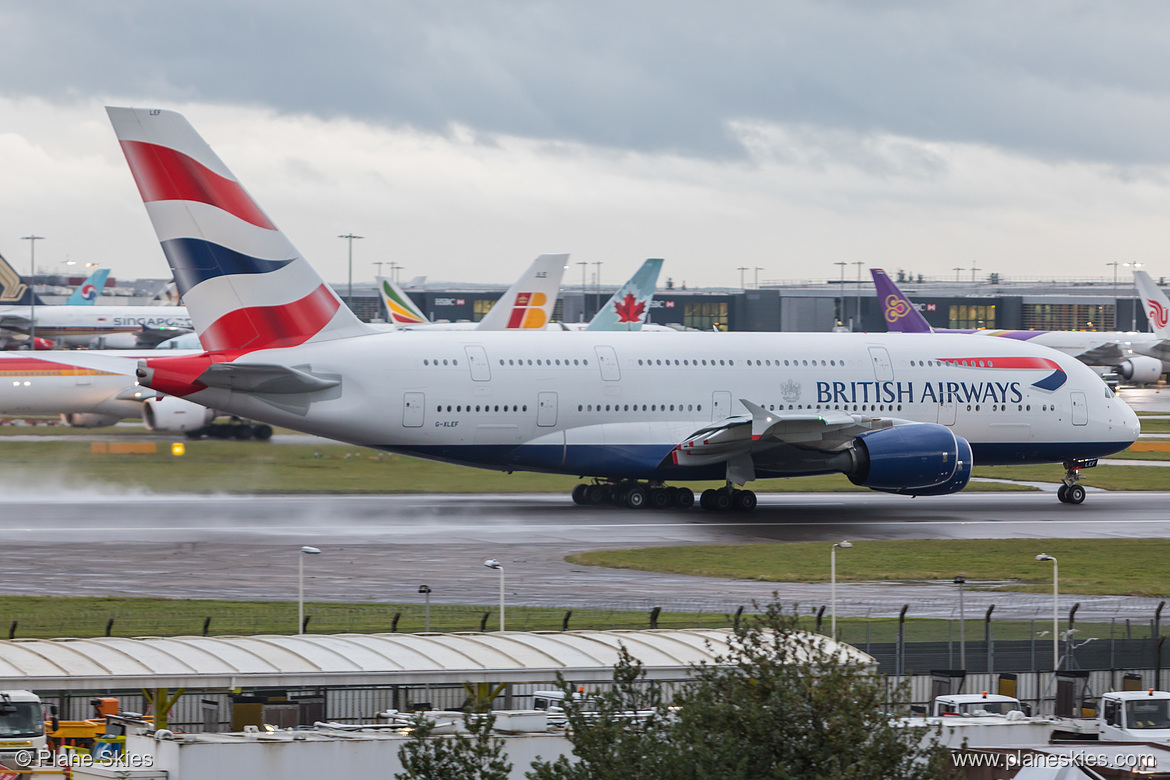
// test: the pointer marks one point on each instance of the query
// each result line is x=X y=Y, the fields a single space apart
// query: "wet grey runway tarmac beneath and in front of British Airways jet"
x=383 y=548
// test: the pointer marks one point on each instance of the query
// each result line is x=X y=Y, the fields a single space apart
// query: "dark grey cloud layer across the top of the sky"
x=1054 y=80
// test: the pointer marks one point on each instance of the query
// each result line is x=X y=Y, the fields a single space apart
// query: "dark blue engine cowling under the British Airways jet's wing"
x=916 y=460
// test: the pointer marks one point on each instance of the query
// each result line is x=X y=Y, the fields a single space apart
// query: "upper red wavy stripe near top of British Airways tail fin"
x=163 y=174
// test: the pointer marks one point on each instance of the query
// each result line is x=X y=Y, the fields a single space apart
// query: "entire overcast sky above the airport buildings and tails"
x=465 y=139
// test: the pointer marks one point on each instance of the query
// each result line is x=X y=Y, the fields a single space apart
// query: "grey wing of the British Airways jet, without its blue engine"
x=741 y=440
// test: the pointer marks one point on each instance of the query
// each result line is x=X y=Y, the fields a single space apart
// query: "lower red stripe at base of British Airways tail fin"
x=263 y=328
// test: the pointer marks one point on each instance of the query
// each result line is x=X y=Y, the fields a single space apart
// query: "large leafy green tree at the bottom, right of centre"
x=781 y=703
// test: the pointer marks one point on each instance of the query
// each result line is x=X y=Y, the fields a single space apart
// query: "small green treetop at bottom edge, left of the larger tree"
x=474 y=756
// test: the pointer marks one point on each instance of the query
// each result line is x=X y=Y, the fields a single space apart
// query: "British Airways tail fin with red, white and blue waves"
x=245 y=285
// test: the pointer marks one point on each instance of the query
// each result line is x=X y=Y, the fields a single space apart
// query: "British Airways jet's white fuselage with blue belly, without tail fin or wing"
x=617 y=404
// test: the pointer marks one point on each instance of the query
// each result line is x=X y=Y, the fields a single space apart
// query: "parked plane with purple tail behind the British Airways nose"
x=1113 y=350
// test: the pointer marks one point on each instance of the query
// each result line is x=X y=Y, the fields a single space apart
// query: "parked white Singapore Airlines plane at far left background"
x=63 y=325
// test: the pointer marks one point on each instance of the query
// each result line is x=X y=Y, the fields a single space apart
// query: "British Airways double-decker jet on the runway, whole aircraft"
x=896 y=413
